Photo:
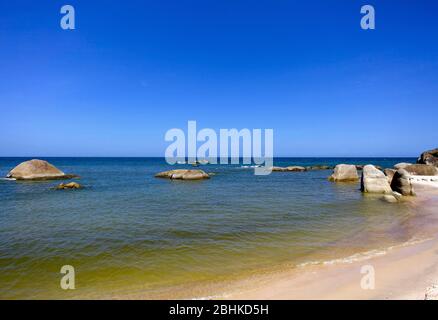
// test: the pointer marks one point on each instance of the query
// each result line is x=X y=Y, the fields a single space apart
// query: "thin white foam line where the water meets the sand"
x=361 y=256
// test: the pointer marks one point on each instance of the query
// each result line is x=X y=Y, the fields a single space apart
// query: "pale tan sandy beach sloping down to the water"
x=407 y=271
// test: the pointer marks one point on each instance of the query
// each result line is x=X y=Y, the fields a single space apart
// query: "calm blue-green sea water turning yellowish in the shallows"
x=130 y=233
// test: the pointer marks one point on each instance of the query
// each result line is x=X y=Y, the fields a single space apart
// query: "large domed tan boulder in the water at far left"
x=37 y=170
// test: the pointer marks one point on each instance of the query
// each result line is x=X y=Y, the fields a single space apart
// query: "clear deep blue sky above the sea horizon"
x=134 y=69
